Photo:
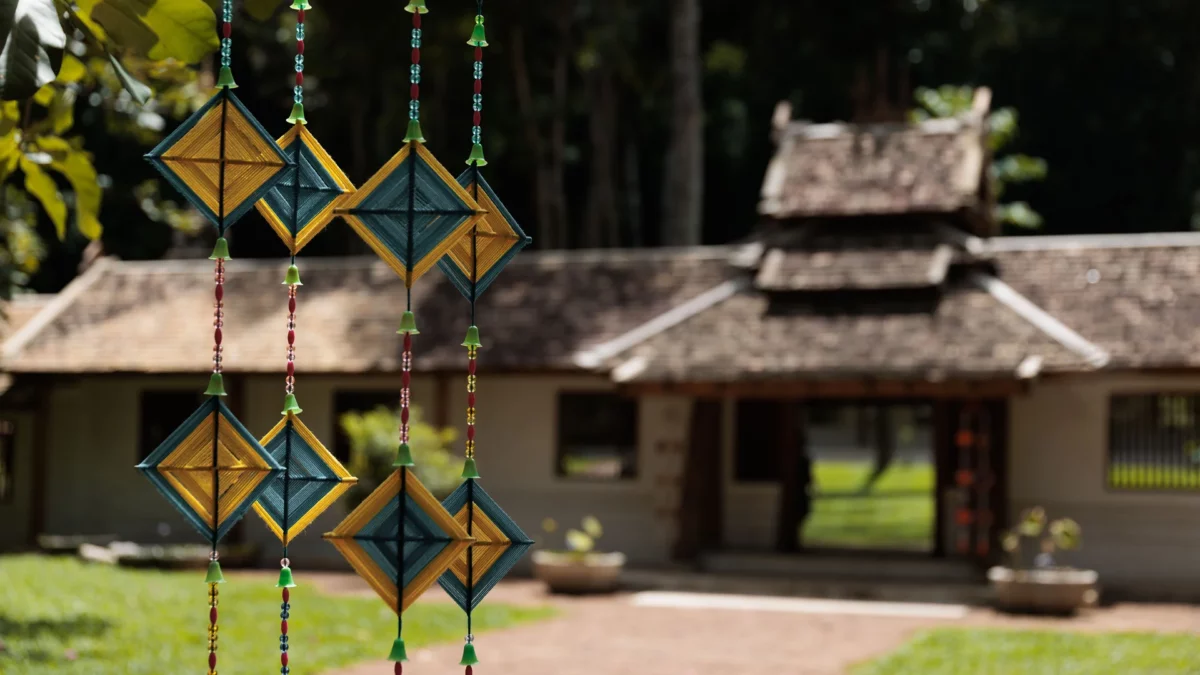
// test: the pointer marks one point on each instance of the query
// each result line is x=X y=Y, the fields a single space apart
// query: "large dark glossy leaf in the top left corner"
x=33 y=49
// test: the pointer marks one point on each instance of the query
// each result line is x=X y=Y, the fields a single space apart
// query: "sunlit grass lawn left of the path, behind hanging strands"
x=62 y=617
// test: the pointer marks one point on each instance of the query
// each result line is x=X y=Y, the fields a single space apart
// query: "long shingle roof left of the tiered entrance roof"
x=157 y=318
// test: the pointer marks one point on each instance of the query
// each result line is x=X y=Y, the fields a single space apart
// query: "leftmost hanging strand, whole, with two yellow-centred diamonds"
x=212 y=469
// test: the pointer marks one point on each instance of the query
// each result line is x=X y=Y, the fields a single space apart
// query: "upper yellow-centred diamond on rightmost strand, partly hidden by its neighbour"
x=497 y=241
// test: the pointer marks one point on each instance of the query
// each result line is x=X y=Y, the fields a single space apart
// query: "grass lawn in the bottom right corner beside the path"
x=1035 y=653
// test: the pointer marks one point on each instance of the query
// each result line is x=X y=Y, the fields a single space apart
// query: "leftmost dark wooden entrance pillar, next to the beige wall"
x=701 y=509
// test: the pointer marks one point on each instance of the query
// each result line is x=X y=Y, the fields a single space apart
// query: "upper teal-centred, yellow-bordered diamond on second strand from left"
x=299 y=210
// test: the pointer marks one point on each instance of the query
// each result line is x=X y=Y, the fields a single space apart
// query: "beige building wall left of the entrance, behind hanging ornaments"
x=93 y=487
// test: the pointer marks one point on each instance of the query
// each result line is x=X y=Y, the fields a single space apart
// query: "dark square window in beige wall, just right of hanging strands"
x=597 y=437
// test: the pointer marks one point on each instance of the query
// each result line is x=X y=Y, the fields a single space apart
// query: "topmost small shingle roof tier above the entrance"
x=838 y=170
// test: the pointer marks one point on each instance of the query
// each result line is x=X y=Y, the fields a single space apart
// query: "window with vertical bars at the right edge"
x=1155 y=443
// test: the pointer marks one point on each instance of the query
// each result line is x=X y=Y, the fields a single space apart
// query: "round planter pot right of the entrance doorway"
x=1047 y=592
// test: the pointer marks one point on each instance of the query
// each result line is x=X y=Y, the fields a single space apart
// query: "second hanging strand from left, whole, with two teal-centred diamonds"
x=299 y=207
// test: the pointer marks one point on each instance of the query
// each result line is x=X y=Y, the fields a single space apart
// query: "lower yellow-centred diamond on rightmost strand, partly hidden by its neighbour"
x=499 y=546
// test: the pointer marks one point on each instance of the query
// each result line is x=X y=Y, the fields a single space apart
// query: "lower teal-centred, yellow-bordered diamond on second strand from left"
x=314 y=480
